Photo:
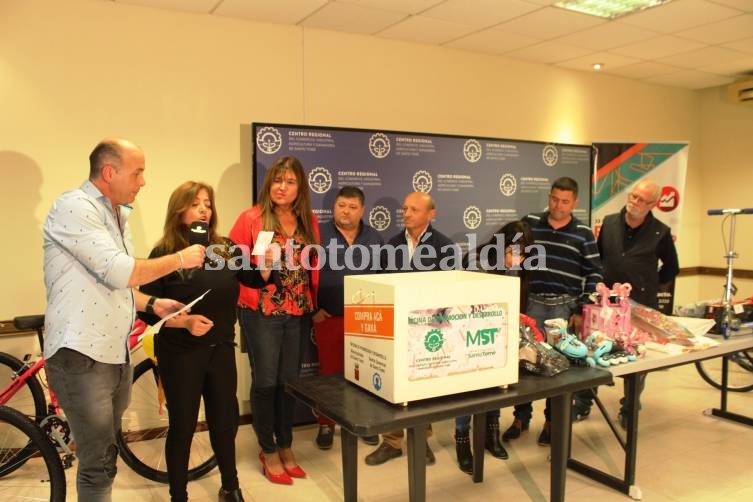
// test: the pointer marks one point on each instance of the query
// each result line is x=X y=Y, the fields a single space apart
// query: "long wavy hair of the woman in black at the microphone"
x=175 y=236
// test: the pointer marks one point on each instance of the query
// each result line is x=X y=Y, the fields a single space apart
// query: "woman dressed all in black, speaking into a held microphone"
x=196 y=351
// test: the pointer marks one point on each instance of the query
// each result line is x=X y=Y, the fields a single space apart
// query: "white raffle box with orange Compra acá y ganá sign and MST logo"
x=418 y=335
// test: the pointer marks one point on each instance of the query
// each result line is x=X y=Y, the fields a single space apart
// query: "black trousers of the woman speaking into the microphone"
x=187 y=375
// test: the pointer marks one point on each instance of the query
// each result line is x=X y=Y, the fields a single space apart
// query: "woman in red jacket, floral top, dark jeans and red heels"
x=274 y=318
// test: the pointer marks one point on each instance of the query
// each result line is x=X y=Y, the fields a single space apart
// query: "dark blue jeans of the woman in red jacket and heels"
x=274 y=350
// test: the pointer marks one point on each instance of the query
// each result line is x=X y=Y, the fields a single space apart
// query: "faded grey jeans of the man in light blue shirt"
x=94 y=396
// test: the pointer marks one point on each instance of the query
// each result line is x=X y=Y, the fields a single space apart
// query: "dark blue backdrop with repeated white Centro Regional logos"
x=478 y=184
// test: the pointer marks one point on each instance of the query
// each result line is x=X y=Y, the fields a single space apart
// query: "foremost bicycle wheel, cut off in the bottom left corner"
x=23 y=444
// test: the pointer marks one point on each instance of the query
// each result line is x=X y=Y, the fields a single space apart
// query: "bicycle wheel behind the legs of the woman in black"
x=143 y=432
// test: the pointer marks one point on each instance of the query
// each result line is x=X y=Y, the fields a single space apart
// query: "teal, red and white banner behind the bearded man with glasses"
x=618 y=166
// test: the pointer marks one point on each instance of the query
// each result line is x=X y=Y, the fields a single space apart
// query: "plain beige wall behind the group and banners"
x=185 y=87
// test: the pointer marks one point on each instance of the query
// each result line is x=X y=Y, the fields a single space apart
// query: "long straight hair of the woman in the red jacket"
x=301 y=205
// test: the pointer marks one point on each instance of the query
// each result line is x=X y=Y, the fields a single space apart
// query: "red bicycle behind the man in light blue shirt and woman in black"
x=141 y=439
